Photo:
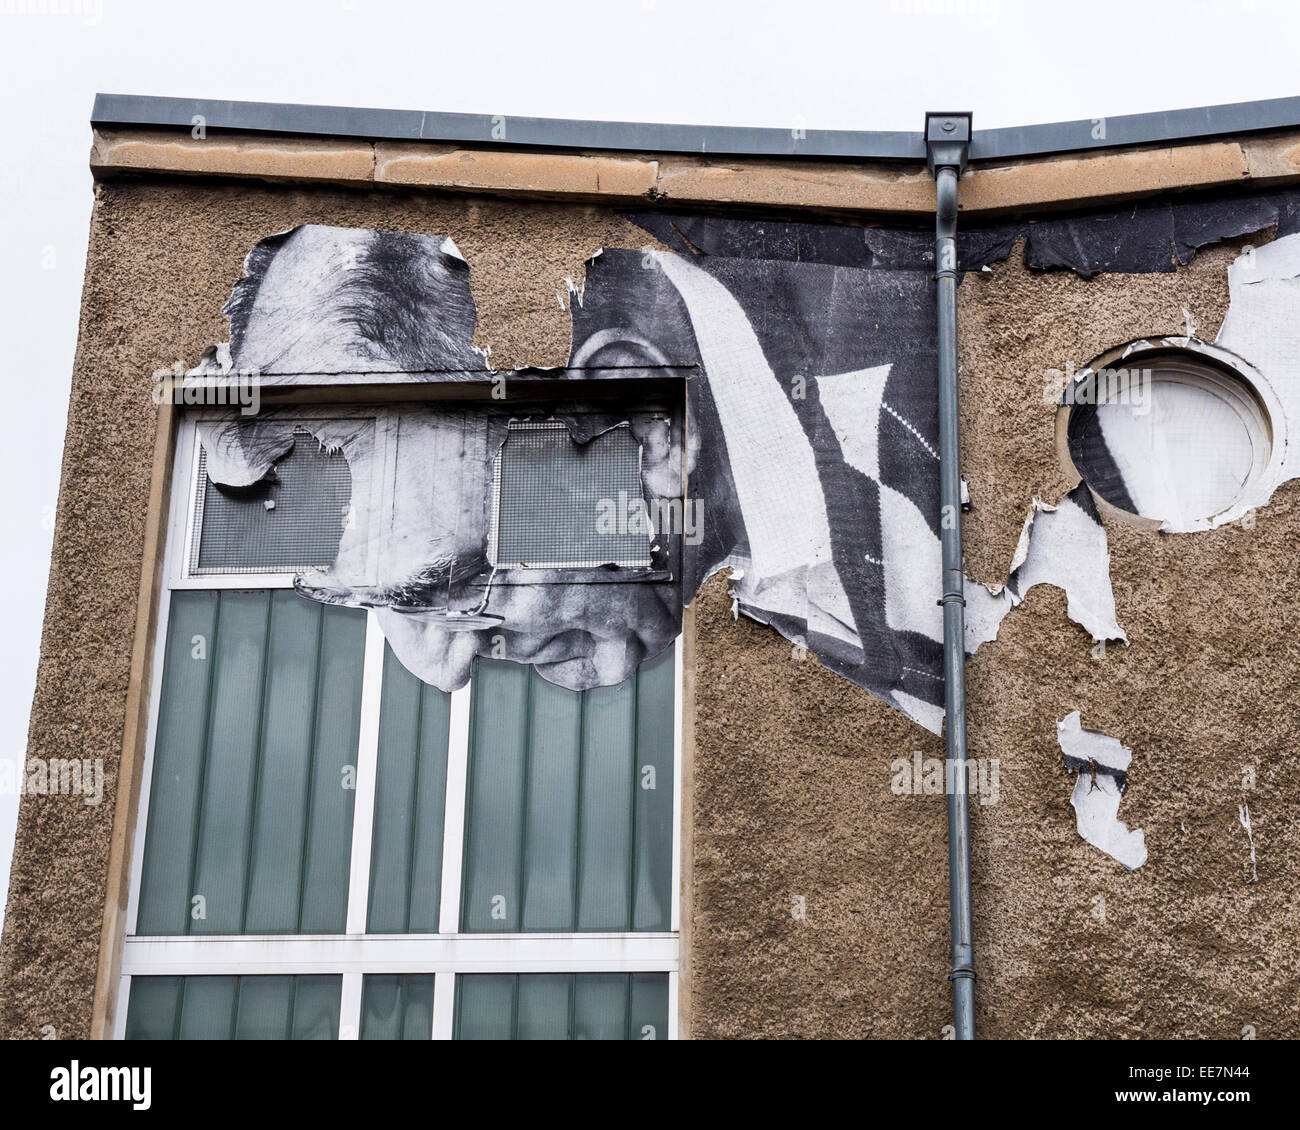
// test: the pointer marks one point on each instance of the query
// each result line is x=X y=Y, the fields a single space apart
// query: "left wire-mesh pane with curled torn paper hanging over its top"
x=292 y=521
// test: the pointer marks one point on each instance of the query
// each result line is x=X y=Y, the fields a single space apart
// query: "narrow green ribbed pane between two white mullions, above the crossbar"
x=410 y=800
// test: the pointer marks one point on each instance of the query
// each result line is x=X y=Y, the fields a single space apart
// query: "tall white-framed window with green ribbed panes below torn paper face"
x=331 y=848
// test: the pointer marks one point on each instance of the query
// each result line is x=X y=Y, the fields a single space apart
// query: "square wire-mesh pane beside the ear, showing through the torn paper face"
x=566 y=505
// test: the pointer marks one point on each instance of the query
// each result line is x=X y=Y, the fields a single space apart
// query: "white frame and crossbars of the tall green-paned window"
x=356 y=954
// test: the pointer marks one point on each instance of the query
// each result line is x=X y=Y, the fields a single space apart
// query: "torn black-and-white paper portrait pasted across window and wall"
x=811 y=447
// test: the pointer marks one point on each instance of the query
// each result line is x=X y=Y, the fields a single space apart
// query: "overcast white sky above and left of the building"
x=876 y=64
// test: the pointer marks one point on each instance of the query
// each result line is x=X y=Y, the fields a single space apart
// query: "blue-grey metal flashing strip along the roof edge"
x=123 y=110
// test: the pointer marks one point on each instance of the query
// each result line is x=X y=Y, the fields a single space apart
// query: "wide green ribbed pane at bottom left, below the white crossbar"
x=235 y=1008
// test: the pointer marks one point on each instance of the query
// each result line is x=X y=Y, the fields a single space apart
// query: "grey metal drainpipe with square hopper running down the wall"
x=947 y=144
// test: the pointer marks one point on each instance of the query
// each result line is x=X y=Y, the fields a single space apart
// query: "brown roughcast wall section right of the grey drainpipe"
x=1210 y=685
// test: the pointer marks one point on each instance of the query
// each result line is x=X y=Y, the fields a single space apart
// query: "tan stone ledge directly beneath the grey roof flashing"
x=879 y=189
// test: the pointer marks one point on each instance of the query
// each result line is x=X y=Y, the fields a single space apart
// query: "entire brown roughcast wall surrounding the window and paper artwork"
x=791 y=765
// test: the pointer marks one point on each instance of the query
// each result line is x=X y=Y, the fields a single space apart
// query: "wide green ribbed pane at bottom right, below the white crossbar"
x=562 y=1007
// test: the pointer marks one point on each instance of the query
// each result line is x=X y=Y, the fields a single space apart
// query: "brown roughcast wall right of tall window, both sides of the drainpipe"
x=801 y=806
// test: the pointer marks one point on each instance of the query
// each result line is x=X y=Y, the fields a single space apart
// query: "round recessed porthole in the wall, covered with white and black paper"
x=1168 y=435
